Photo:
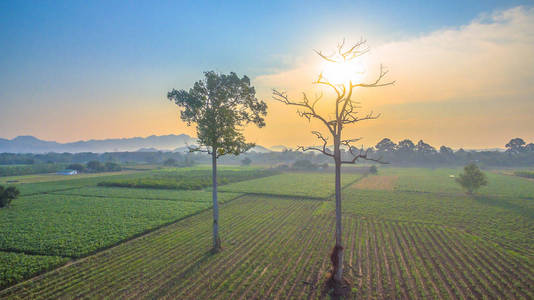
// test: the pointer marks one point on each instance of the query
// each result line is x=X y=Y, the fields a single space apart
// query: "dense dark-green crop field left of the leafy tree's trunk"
x=58 y=218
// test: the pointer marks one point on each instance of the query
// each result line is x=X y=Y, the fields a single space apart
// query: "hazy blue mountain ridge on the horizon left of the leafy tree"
x=31 y=144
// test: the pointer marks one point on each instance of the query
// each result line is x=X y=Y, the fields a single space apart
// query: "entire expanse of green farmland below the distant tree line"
x=409 y=233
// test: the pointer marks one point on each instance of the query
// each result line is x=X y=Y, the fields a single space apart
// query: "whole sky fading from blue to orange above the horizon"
x=78 y=70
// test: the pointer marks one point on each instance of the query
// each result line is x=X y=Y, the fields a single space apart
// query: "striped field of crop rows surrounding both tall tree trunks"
x=277 y=248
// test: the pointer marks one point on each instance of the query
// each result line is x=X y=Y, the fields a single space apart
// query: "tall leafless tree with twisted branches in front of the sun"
x=346 y=113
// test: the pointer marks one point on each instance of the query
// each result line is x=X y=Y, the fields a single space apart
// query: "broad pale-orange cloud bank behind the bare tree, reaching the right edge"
x=471 y=85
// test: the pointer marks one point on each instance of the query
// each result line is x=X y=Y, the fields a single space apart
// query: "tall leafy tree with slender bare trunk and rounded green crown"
x=220 y=105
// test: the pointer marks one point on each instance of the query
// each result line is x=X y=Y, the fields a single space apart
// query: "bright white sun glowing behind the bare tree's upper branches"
x=343 y=72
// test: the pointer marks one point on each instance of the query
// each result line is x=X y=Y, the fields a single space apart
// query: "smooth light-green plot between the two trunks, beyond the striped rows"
x=310 y=185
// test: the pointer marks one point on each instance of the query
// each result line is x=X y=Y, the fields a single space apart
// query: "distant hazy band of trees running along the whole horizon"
x=404 y=153
